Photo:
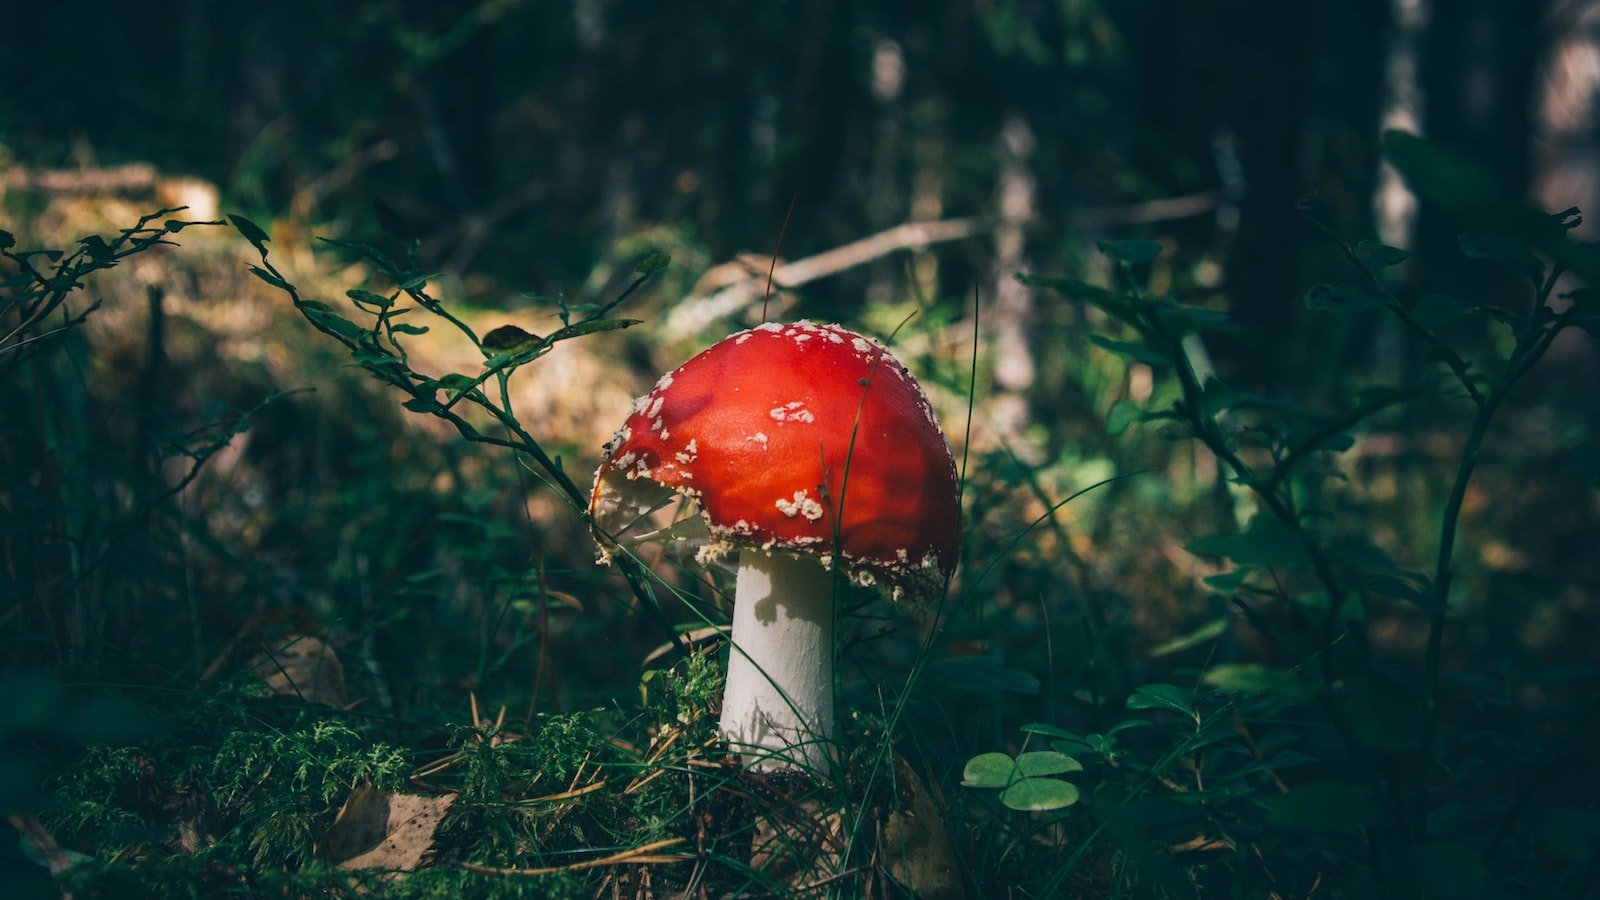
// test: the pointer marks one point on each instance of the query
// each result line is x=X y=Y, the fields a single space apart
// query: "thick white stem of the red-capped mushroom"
x=778 y=705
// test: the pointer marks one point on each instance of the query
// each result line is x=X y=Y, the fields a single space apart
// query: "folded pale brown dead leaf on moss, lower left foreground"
x=382 y=830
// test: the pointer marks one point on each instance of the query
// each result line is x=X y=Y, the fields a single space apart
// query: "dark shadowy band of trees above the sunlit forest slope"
x=526 y=142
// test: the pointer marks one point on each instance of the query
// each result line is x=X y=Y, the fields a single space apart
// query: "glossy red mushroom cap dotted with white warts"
x=759 y=430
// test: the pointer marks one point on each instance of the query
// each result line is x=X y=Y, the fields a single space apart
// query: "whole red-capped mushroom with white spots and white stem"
x=798 y=448
